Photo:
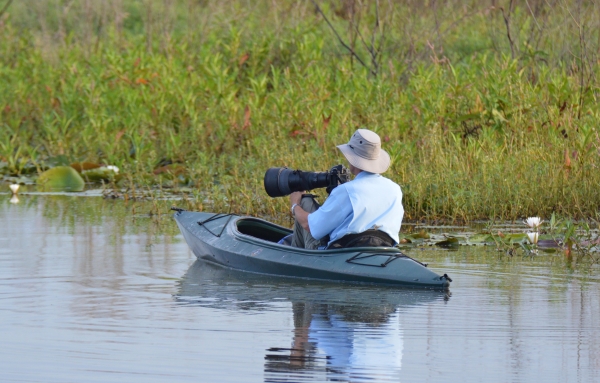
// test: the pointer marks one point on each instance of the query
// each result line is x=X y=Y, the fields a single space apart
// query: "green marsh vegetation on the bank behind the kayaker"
x=486 y=111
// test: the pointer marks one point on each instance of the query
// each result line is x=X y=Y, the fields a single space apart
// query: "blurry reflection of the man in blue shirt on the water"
x=341 y=343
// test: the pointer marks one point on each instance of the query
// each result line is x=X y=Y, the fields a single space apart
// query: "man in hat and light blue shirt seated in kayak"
x=366 y=211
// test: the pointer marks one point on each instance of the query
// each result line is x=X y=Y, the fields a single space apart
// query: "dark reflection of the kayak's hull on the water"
x=207 y=284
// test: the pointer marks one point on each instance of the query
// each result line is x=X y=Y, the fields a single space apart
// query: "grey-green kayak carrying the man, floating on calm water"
x=250 y=244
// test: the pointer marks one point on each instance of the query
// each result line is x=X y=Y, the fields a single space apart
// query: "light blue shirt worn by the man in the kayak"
x=370 y=201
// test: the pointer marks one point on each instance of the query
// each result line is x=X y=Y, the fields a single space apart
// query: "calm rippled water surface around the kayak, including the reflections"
x=95 y=290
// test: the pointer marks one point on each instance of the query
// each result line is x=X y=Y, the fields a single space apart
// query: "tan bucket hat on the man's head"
x=364 y=152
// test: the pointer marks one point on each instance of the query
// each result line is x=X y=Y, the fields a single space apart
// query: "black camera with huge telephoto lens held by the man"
x=280 y=182
